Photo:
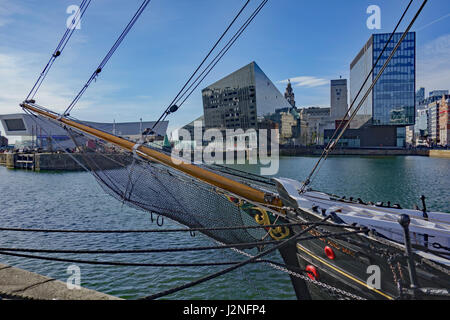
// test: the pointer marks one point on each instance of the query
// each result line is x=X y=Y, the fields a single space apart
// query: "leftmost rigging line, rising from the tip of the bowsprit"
x=60 y=48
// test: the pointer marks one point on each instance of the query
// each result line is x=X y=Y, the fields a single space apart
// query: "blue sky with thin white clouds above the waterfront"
x=309 y=42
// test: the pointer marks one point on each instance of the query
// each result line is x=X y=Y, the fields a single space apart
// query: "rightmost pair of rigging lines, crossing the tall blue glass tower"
x=331 y=144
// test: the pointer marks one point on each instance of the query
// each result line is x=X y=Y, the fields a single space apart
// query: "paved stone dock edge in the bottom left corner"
x=20 y=284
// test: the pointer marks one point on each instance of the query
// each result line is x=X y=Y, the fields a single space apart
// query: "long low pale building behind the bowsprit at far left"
x=46 y=135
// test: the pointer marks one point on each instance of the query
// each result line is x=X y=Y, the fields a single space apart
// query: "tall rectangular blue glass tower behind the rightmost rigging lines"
x=393 y=99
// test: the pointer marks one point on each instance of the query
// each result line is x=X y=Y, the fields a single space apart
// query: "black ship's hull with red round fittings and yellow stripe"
x=352 y=267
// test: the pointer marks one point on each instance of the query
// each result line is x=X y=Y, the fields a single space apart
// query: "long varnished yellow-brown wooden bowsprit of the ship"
x=207 y=176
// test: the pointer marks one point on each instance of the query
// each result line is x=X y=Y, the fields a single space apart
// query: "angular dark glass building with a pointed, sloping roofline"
x=241 y=99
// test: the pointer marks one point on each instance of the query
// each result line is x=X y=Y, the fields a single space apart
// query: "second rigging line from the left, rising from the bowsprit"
x=108 y=56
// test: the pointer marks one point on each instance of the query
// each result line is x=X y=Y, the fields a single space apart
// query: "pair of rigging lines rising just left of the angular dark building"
x=214 y=62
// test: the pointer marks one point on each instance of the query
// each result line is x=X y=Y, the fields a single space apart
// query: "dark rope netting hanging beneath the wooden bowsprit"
x=159 y=189
